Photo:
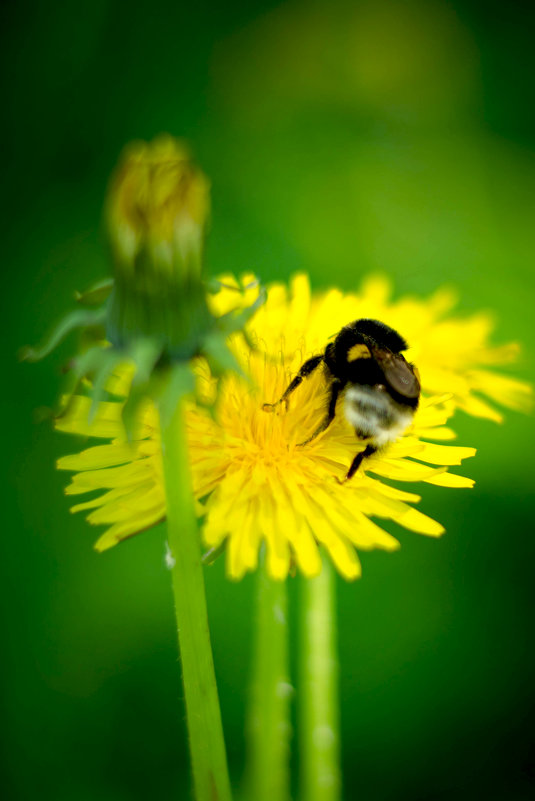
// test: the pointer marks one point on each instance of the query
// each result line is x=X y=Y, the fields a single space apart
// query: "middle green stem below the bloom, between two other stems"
x=269 y=724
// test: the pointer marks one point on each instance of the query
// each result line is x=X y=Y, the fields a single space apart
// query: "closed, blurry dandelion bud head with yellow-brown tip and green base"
x=157 y=211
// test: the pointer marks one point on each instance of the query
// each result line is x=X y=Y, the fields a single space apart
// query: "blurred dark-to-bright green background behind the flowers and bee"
x=342 y=138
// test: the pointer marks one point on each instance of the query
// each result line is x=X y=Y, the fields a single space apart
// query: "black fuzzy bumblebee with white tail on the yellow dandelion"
x=381 y=390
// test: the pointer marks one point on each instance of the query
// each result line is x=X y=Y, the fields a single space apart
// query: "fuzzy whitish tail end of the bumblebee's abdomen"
x=374 y=414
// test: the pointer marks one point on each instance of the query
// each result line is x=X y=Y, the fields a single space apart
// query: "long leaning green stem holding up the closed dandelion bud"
x=205 y=729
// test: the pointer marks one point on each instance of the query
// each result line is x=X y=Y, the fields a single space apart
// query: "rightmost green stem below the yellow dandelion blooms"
x=318 y=689
